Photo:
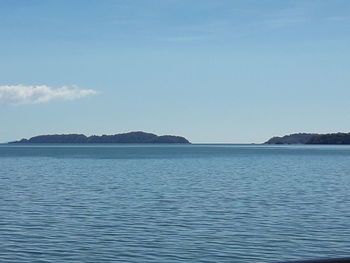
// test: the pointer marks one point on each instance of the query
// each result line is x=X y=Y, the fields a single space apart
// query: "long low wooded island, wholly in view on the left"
x=130 y=137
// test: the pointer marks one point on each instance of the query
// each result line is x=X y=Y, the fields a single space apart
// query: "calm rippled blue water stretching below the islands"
x=194 y=203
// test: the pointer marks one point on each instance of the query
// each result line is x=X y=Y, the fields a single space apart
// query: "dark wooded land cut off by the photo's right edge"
x=312 y=138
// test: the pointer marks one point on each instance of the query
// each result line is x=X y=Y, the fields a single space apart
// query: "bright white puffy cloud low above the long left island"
x=21 y=94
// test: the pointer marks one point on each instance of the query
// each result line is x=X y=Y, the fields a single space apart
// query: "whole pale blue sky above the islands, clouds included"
x=210 y=70
